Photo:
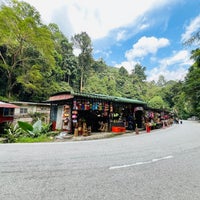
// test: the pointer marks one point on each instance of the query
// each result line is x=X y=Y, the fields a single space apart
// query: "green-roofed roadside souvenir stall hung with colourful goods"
x=81 y=114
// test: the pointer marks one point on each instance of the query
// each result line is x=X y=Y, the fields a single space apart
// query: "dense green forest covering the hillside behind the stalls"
x=37 y=60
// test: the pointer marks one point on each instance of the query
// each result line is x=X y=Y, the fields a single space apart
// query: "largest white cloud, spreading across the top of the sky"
x=97 y=17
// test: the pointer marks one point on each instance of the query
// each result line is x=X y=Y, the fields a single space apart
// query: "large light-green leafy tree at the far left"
x=21 y=30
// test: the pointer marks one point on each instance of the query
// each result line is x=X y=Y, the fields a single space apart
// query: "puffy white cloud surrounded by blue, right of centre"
x=145 y=46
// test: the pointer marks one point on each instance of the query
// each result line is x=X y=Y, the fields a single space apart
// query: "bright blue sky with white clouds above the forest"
x=128 y=32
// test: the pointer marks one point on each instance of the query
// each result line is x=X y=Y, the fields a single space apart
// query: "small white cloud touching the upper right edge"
x=191 y=28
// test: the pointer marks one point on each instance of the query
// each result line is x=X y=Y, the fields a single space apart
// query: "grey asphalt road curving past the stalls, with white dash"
x=162 y=165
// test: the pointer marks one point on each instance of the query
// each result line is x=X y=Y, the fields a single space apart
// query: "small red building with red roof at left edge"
x=6 y=114
